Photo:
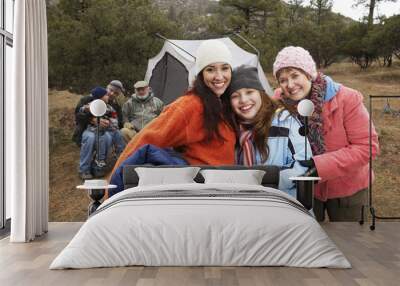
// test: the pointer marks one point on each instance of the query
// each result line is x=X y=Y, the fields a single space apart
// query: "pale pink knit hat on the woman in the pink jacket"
x=295 y=57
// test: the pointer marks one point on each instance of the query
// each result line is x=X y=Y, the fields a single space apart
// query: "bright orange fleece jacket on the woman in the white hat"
x=181 y=124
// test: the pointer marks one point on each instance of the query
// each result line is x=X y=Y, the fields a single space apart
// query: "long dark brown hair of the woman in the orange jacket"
x=214 y=111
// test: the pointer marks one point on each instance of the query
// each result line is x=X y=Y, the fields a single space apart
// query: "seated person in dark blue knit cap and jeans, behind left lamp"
x=108 y=128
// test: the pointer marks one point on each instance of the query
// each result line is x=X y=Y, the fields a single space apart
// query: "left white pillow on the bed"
x=166 y=176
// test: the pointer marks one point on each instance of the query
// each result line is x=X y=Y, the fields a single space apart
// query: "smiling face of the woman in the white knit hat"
x=217 y=77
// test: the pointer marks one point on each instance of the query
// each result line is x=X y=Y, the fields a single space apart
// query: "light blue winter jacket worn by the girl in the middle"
x=286 y=147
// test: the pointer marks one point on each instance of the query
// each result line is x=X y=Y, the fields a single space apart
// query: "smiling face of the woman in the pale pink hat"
x=294 y=83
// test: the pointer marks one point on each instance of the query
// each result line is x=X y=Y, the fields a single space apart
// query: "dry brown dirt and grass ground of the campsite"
x=70 y=204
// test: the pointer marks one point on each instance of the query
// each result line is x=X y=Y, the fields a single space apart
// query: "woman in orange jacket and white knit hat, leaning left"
x=195 y=122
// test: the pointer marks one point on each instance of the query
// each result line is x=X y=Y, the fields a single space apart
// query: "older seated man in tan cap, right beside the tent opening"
x=139 y=110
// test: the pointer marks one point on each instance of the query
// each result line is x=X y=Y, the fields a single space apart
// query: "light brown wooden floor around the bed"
x=374 y=255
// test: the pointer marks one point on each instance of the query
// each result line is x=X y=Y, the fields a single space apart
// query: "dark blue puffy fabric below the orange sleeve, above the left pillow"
x=147 y=154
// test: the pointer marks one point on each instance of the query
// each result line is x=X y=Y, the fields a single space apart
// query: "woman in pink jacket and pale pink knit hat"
x=339 y=134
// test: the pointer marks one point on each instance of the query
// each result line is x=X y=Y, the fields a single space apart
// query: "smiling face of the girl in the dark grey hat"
x=246 y=102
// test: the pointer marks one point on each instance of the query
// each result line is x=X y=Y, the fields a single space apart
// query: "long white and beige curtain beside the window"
x=27 y=124
